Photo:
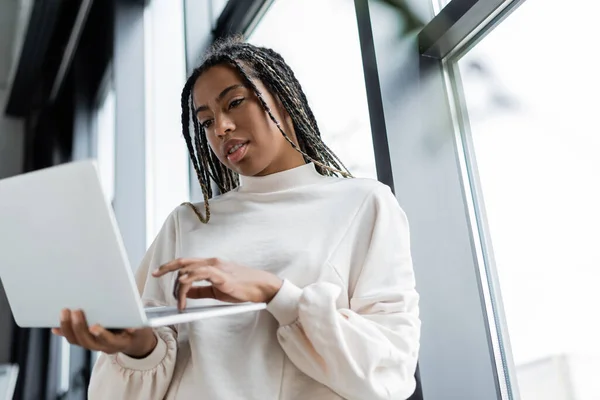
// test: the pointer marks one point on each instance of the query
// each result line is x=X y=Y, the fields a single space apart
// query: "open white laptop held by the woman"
x=60 y=247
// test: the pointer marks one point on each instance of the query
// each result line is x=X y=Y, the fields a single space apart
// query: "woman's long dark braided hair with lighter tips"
x=269 y=68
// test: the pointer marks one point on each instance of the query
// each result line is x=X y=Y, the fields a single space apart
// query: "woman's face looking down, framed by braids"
x=237 y=127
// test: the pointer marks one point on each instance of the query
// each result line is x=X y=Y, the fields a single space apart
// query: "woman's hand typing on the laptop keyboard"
x=229 y=282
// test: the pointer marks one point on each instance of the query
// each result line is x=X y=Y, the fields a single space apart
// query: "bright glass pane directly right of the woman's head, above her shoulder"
x=327 y=61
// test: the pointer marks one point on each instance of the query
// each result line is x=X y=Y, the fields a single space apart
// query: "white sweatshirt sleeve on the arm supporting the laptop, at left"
x=118 y=376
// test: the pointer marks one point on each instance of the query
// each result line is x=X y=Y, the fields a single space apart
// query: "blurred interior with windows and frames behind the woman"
x=480 y=114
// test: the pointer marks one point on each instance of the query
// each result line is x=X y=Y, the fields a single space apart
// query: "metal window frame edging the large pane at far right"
x=455 y=30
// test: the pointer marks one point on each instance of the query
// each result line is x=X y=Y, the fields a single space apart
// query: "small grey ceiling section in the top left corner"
x=14 y=16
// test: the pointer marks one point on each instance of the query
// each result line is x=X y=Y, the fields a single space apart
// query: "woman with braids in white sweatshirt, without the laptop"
x=330 y=257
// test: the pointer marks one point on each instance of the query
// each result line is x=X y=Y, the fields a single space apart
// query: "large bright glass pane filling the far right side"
x=532 y=98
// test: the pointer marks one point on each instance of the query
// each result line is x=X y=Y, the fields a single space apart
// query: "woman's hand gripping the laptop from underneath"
x=137 y=343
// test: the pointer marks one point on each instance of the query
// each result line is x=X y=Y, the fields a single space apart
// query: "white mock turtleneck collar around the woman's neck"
x=296 y=177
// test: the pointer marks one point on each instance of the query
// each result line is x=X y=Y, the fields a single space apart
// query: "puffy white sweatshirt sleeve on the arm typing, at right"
x=369 y=350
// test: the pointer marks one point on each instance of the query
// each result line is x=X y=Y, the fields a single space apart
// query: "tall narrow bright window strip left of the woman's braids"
x=167 y=174
